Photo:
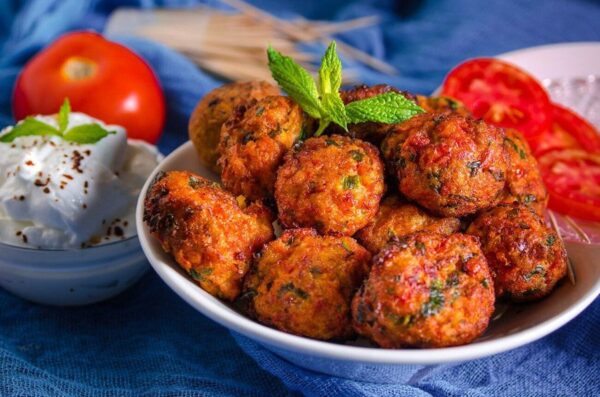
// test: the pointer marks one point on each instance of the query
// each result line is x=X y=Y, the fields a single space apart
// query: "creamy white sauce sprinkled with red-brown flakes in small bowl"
x=56 y=194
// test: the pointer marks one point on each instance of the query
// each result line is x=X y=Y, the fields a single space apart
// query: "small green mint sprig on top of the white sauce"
x=81 y=134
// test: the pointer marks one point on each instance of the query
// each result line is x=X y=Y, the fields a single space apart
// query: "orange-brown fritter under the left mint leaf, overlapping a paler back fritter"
x=253 y=143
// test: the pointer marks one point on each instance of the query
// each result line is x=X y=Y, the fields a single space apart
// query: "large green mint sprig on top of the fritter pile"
x=323 y=102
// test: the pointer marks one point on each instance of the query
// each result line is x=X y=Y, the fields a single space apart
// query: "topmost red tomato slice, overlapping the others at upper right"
x=501 y=94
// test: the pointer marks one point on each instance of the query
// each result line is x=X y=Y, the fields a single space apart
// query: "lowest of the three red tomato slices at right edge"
x=572 y=177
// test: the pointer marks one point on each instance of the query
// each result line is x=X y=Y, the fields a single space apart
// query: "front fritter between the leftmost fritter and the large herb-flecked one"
x=303 y=283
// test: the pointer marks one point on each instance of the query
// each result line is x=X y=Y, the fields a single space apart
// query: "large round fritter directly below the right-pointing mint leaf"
x=450 y=164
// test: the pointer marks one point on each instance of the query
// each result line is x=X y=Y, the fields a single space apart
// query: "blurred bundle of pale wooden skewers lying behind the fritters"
x=244 y=36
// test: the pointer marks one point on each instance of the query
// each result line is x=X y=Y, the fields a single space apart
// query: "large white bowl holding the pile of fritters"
x=519 y=325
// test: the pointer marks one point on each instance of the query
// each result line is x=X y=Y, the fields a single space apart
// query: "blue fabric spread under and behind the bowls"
x=149 y=342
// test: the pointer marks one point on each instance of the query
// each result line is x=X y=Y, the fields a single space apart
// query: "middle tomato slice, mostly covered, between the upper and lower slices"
x=568 y=131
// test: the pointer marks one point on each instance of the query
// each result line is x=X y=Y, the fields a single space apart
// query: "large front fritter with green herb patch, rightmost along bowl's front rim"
x=430 y=290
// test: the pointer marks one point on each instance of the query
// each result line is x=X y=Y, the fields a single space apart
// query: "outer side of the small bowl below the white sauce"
x=72 y=277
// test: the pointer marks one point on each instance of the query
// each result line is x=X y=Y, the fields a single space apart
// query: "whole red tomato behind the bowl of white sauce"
x=100 y=78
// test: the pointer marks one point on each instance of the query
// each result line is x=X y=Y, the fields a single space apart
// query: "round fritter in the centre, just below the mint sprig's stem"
x=330 y=183
